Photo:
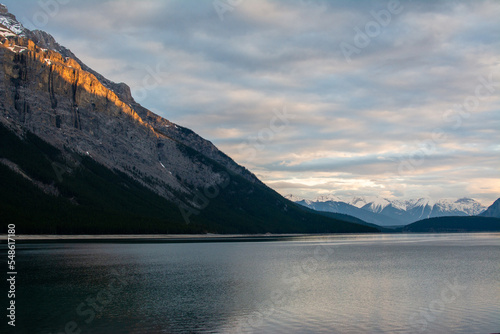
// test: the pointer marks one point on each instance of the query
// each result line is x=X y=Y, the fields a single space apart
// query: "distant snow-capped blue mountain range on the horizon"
x=390 y=212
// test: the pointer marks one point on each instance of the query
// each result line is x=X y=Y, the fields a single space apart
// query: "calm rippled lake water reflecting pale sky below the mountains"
x=337 y=284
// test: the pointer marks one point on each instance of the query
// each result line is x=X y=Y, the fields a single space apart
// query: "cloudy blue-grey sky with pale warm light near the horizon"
x=399 y=99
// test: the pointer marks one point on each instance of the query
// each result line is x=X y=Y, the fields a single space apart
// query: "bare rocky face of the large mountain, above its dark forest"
x=47 y=90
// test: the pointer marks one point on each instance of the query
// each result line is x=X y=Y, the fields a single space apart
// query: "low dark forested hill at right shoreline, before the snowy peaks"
x=455 y=224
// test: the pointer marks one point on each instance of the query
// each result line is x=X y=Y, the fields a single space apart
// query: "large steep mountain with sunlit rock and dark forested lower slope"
x=79 y=155
